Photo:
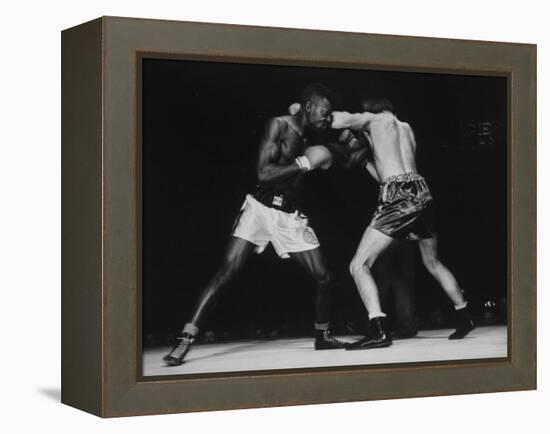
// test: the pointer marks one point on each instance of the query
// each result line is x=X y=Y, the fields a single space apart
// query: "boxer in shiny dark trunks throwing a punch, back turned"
x=403 y=212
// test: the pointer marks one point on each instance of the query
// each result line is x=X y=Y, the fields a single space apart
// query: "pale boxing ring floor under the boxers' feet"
x=284 y=353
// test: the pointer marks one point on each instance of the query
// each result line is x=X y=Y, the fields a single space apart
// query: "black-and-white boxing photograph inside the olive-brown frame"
x=301 y=217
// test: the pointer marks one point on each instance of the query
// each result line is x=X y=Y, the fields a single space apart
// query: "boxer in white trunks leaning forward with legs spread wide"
x=272 y=215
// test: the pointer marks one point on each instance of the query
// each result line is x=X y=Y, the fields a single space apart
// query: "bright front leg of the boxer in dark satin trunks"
x=371 y=245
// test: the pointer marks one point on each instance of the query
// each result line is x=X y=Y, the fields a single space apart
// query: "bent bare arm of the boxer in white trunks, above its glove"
x=270 y=150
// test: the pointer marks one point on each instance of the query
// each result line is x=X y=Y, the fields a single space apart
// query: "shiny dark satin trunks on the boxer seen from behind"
x=405 y=208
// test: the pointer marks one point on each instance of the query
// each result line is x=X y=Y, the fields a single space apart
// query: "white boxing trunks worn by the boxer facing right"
x=287 y=232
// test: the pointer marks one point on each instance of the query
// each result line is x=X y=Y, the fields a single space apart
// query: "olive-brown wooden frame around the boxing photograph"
x=100 y=216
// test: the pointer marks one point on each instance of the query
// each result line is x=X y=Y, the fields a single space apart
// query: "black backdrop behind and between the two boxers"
x=202 y=122
